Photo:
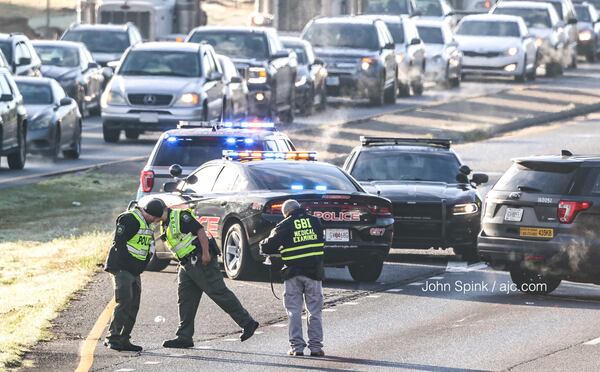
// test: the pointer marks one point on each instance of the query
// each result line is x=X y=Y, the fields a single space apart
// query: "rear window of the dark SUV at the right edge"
x=537 y=178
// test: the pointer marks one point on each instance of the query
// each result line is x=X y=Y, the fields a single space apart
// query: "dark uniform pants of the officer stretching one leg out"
x=197 y=279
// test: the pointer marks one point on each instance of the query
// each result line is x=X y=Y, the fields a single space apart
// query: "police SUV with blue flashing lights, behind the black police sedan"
x=194 y=143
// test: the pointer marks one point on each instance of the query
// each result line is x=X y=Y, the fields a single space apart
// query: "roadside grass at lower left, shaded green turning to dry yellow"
x=50 y=249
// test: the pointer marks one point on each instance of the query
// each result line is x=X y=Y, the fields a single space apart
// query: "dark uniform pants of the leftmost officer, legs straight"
x=128 y=289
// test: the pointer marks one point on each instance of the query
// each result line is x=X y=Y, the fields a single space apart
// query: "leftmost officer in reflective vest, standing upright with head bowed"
x=127 y=259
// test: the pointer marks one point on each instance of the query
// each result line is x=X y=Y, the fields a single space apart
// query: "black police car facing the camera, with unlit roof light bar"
x=435 y=204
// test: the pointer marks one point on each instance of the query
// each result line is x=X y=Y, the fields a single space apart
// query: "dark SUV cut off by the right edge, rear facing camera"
x=541 y=222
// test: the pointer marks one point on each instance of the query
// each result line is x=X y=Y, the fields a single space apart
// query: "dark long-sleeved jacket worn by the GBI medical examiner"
x=283 y=236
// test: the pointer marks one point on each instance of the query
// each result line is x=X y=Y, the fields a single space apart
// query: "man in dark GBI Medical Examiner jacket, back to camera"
x=299 y=240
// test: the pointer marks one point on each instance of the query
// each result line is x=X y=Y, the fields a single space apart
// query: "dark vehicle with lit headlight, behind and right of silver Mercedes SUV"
x=264 y=63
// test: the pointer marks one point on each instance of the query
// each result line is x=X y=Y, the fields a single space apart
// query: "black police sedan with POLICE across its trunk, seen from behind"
x=238 y=200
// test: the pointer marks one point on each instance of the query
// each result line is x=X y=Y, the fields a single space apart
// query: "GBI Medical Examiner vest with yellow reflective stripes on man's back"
x=305 y=242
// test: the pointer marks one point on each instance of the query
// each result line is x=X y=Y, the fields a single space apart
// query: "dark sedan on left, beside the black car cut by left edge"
x=54 y=121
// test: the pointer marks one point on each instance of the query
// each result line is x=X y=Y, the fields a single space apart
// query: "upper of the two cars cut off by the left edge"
x=20 y=54
